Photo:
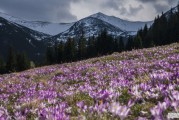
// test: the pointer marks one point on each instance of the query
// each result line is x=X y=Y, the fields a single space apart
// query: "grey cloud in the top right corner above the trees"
x=159 y=6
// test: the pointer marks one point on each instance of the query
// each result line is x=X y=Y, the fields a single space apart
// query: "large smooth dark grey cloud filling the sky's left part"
x=49 y=10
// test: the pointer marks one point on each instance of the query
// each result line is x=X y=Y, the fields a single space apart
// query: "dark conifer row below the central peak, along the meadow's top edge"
x=82 y=48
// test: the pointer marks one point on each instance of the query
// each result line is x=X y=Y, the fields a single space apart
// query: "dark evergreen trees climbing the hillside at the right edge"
x=165 y=30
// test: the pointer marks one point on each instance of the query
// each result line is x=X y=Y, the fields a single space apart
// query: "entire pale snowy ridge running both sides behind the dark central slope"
x=57 y=28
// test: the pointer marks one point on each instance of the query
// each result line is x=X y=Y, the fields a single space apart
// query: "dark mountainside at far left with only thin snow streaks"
x=21 y=39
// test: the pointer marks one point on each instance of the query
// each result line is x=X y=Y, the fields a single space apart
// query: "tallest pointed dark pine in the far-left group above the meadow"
x=11 y=64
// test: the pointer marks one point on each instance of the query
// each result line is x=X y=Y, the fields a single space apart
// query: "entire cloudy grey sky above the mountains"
x=72 y=10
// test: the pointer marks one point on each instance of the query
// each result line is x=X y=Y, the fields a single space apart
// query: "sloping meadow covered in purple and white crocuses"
x=141 y=84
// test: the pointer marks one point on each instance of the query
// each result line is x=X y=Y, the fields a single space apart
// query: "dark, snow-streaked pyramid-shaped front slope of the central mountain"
x=90 y=26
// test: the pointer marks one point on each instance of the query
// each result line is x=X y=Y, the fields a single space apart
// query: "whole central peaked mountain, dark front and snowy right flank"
x=92 y=25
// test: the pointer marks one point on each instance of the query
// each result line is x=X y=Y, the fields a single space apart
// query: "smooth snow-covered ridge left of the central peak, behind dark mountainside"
x=45 y=27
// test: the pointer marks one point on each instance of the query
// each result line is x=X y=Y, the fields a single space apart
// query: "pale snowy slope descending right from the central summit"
x=125 y=25
